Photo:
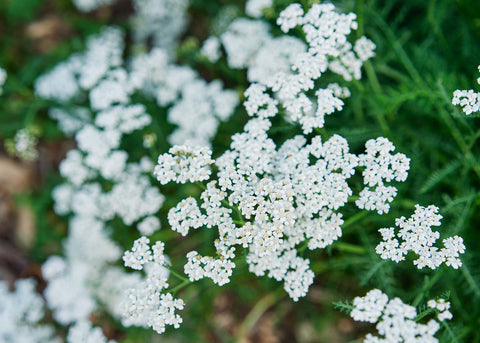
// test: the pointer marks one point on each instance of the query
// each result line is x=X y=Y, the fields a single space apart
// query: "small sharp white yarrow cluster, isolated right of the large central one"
x=416 y=235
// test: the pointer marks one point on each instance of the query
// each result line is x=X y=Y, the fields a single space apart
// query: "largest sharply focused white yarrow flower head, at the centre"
x=261 y=182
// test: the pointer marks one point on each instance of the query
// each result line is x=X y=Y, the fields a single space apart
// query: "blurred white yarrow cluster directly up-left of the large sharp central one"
x=196 y=107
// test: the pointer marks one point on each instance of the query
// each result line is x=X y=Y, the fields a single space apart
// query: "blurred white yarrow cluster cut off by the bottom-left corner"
x=21 y=313
